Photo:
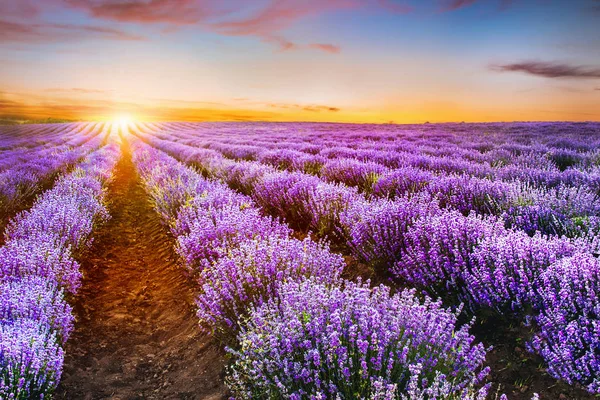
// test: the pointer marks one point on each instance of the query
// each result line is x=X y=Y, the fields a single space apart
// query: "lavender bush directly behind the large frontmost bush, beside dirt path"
x=253 y=273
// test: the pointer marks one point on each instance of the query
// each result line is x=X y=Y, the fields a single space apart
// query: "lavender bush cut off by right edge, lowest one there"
x=569 y=330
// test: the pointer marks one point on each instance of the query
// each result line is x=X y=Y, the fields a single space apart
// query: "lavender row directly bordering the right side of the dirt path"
x=296 y=321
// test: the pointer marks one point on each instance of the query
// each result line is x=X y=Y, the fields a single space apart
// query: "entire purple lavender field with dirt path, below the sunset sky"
x=300 y=261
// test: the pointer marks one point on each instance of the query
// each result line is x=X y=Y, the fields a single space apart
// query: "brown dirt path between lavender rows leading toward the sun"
x=136 y=334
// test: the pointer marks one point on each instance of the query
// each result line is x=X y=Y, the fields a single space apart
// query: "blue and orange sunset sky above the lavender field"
x=376 y=61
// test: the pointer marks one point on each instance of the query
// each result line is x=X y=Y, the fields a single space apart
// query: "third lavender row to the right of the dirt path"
x=562 y=210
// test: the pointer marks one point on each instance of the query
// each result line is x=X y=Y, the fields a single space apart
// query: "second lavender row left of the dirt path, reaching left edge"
x=29 y=172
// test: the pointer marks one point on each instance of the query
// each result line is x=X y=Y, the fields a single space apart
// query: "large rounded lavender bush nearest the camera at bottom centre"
x=319 y=341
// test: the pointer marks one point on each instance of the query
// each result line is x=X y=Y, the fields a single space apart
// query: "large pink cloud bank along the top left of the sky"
x=266 y=20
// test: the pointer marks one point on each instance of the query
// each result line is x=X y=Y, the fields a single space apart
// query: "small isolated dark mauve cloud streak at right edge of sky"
x=549 y=69
